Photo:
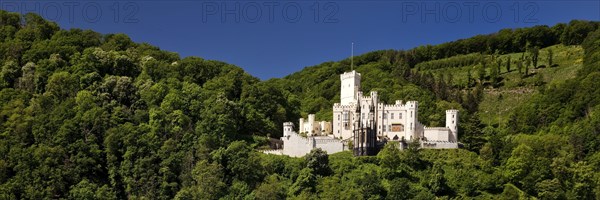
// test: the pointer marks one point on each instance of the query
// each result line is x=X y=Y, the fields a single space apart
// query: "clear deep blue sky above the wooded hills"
x=276 y=38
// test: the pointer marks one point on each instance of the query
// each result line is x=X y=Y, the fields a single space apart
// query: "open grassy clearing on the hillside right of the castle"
x=499 y=102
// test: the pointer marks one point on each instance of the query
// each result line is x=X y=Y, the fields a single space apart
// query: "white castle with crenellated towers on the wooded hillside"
x=364 y=124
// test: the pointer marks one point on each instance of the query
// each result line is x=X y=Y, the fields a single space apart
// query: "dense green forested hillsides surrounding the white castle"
x=91 y=116
